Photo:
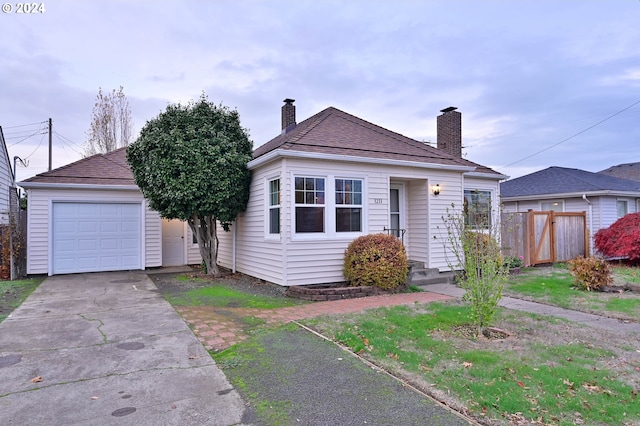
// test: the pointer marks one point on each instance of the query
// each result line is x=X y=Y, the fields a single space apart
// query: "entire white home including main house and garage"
x=315 y=187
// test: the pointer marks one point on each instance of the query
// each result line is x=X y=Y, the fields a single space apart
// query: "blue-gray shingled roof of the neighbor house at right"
x=561 y=180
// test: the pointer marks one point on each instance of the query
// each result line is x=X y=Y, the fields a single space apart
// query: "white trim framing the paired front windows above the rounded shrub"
x=330 y=205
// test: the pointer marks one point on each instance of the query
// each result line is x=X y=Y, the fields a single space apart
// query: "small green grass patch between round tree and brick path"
x=219 y=295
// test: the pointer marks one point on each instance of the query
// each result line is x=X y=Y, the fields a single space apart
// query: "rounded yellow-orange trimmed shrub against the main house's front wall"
x=376 y=260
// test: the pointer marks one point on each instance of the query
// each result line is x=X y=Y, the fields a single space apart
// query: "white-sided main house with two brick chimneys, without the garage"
x=333 y=177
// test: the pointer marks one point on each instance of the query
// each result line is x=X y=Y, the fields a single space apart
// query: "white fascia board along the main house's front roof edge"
x=266 y=158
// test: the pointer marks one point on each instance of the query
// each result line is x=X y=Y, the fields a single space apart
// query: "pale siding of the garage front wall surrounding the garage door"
x=39 y=217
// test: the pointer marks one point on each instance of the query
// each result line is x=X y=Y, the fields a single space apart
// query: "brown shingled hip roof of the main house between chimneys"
x=336 y=132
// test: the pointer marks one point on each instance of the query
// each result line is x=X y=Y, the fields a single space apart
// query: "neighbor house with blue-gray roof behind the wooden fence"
x=604 y=198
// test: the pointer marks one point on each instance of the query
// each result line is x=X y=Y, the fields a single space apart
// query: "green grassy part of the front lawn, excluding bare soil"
x=551 y=382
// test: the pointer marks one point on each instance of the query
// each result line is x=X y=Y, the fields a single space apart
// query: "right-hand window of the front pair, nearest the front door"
x=348 y=205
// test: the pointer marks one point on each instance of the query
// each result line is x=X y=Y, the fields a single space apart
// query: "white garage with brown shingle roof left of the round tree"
x=90 y=216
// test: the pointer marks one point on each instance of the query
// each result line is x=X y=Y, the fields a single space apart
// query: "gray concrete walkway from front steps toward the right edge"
x=596 y=321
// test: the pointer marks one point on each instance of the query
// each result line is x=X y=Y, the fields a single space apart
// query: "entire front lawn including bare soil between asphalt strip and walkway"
x=548 y=371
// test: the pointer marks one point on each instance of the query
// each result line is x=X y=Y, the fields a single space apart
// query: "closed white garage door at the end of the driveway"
x=92 y=237
